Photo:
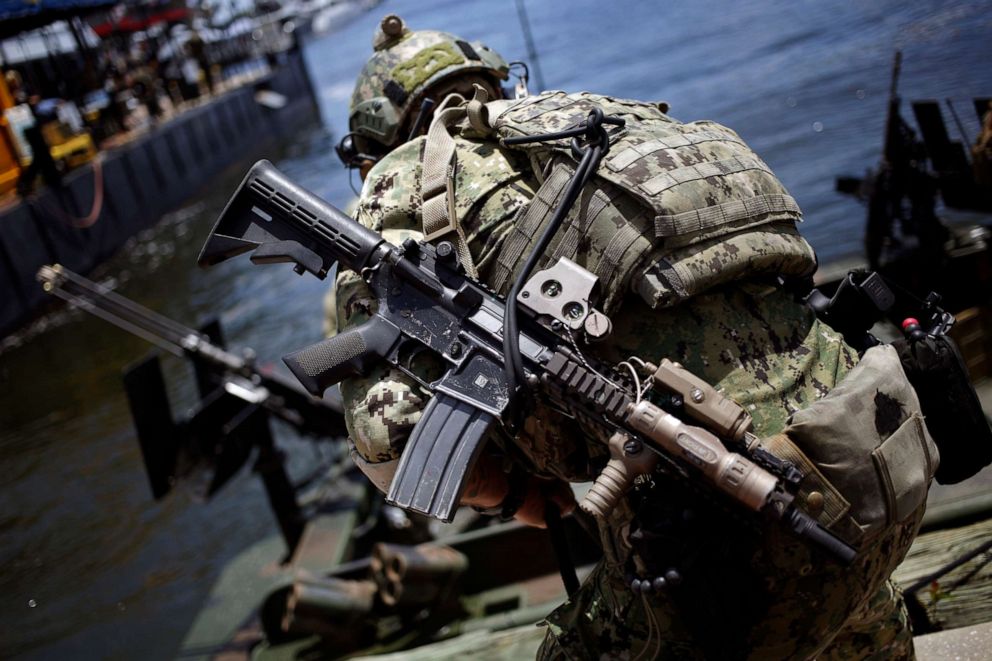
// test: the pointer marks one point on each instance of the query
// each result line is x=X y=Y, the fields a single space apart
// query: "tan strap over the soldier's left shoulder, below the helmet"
x=437 y=185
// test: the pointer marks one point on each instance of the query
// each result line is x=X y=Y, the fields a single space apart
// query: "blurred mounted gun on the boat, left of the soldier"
x=237 y=400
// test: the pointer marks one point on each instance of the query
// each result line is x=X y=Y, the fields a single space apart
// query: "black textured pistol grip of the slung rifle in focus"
x=349 y=353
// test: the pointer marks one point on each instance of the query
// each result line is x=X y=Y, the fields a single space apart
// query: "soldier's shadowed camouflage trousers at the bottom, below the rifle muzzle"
x=782 y=603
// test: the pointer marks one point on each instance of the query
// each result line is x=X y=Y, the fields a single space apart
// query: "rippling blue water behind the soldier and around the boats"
x=92 y=568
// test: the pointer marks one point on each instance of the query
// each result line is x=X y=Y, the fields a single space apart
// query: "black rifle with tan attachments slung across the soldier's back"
x=425 y=301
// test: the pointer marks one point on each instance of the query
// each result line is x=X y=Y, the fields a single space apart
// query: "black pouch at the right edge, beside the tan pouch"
x=954 y=415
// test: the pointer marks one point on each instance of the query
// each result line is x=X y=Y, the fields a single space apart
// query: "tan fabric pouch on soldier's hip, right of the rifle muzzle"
x=867 y=455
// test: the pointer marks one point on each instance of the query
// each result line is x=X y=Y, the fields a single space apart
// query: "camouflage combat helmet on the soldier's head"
x=390 y=90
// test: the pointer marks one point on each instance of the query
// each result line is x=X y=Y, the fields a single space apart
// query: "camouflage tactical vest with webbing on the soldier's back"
x=674 y=209
